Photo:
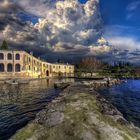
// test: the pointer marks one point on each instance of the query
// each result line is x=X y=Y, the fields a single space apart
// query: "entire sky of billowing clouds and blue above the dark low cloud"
x=70 y=28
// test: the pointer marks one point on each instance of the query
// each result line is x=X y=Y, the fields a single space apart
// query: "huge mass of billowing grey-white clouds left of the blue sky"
x=65 y=27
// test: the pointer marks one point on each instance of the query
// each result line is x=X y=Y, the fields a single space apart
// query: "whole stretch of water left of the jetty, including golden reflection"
x=20 y=103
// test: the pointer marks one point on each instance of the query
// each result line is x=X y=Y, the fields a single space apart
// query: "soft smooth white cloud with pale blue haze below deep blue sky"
x=122 y=37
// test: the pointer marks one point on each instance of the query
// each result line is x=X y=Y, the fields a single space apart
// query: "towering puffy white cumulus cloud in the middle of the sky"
x=66 y=21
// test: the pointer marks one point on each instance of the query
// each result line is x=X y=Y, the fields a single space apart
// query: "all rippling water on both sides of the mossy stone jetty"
x=20 y=103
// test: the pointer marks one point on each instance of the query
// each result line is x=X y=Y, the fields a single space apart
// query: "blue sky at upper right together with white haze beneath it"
x=122 y=21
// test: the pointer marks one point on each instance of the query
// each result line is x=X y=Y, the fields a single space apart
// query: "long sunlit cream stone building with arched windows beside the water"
x=22 y=64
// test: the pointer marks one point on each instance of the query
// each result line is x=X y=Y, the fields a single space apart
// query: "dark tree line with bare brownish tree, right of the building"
x=118 y=69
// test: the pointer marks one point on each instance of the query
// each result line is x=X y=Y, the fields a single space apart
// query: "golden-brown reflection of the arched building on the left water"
x=17 y=93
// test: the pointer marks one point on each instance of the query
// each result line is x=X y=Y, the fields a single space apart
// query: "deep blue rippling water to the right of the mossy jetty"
x=126 y=97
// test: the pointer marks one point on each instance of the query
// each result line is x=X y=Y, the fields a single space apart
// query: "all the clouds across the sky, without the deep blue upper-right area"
x=65 y=29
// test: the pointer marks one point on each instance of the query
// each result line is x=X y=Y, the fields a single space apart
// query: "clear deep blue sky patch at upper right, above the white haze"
x=122 y=15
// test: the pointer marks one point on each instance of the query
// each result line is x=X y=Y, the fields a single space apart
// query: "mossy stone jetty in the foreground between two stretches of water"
x=79 y=113
